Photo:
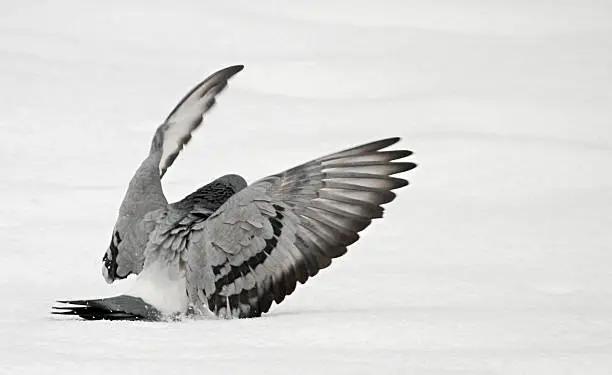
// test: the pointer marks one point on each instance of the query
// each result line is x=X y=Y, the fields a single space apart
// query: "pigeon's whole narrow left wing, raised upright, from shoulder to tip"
x=144 y=195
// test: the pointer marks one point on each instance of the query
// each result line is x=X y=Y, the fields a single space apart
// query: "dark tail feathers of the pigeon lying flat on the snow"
x=121 y=307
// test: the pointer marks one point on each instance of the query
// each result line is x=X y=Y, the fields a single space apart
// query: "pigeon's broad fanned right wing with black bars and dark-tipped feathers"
x=286 y=227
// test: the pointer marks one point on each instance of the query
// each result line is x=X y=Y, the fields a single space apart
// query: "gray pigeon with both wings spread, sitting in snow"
x=231 y=249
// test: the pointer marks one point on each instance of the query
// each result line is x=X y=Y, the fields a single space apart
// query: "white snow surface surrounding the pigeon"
x=496 y=260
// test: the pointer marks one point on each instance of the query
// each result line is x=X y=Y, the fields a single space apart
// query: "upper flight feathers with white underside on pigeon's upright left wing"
x=176 y=131
